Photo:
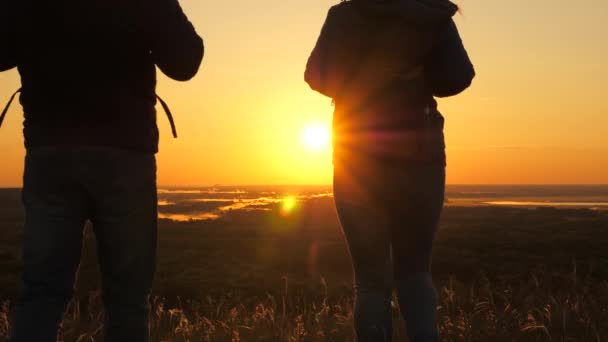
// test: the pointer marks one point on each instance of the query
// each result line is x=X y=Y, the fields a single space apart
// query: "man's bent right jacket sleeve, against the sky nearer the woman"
x=176 y=47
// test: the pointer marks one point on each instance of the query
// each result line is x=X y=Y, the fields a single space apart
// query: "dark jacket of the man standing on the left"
x=88 y=67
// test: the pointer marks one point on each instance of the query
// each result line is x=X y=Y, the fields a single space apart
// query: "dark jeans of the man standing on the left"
x=116 y=191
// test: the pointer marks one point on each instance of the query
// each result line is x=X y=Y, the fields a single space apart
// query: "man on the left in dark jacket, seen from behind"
x=88 y=92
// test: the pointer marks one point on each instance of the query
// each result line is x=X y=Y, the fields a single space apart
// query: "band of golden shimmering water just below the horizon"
x=215 y=202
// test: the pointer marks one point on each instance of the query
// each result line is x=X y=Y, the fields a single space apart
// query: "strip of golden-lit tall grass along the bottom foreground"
x=462 y=311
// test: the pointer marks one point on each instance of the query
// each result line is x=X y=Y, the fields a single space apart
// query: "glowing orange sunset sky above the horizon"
x=535 y=113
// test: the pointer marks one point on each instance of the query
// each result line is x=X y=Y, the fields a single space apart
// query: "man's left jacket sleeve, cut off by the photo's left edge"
x=8 y=36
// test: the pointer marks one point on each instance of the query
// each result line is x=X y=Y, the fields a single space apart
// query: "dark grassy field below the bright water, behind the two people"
x=502 y=274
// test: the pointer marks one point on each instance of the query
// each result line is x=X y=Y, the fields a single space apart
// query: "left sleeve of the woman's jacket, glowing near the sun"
x=315 y=74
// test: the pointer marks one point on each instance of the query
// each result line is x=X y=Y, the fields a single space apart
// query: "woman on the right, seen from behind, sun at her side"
x=383 y=62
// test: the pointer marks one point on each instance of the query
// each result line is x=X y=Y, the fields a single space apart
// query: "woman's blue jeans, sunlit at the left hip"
x=389 y=214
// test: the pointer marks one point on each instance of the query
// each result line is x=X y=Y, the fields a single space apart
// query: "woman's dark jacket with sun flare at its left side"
x=383 y=62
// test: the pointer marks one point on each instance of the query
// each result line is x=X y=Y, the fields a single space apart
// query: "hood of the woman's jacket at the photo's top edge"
x=417 y=12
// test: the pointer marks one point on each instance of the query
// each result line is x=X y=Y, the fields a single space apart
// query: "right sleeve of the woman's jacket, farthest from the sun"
x=450 y=70
